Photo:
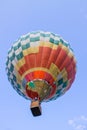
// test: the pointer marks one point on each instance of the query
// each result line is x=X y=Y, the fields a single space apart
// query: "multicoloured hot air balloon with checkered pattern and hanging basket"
x=41 y=67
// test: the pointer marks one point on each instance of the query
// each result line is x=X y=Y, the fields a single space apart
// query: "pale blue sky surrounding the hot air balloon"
x=67 y=18
